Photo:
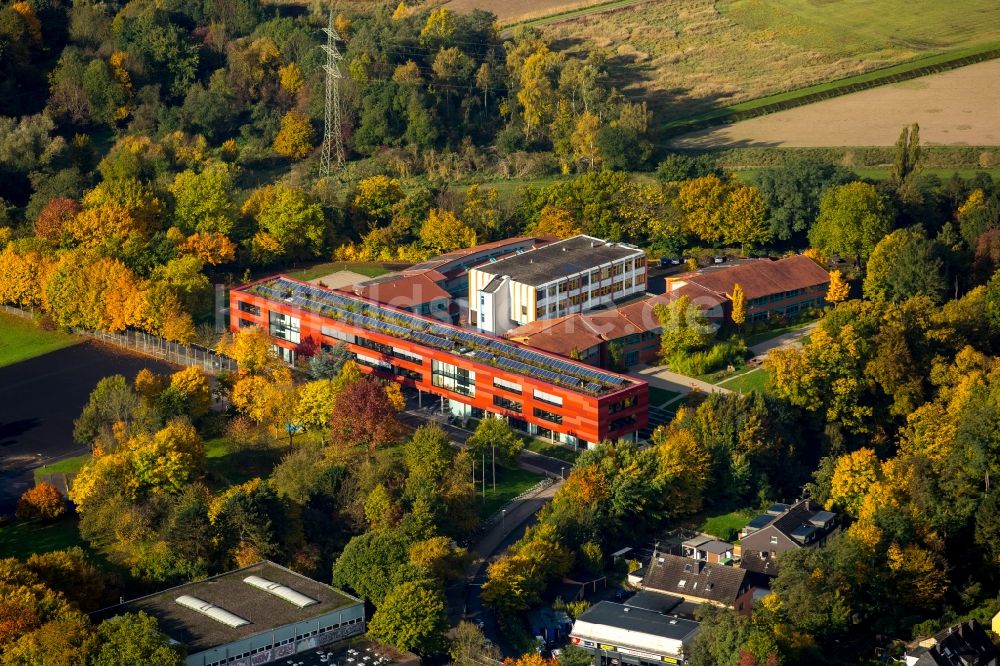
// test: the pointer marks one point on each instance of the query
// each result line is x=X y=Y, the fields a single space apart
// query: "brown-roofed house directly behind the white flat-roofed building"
x=700 y=582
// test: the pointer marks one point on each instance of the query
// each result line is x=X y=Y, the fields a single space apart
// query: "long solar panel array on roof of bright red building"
x=402 y=325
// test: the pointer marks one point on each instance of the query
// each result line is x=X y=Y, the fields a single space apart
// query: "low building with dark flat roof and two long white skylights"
x=255 y=615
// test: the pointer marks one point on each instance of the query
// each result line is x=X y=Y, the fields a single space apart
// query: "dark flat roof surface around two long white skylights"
x=264 y=610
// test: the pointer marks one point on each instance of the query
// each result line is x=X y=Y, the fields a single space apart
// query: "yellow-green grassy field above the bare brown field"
x=687 y=56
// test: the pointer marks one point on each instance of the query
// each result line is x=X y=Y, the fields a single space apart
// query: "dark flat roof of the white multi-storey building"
x=565 y=257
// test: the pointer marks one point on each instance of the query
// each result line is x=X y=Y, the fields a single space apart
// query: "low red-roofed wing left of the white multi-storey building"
x=438 y=287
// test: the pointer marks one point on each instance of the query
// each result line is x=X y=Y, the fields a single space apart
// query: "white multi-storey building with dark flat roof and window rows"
x=572 y=275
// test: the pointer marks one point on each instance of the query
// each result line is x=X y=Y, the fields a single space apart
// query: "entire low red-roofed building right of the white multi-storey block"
x=784 y=287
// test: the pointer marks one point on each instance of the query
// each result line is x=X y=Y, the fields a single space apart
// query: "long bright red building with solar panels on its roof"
x=472 y=373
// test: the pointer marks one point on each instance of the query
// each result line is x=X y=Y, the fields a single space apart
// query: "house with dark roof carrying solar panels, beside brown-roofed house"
x=781 y=528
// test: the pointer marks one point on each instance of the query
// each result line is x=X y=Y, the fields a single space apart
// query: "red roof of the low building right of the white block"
x=759 y=278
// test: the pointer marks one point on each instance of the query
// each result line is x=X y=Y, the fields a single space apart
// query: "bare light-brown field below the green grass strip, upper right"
x=960 y=107
